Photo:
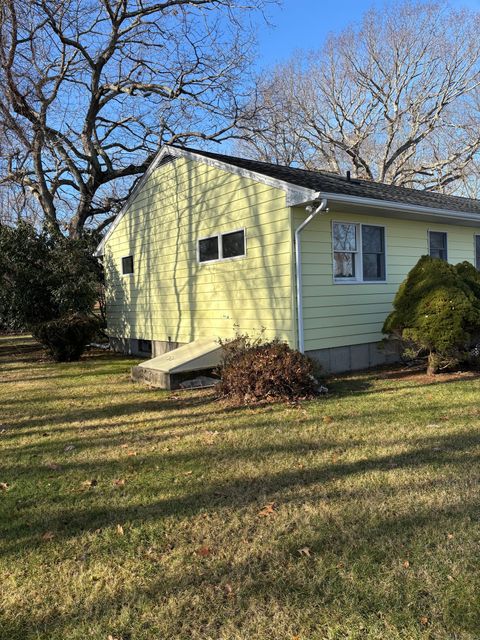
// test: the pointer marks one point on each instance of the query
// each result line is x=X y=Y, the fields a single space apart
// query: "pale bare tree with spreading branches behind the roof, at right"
x=395 y=99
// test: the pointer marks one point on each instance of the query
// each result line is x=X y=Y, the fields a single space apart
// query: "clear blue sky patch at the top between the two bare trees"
x=303 y=24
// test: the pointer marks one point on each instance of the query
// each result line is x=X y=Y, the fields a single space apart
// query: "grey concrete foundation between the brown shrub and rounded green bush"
x=355 y=357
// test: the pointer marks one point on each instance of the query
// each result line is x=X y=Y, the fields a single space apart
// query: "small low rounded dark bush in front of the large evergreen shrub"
x=66 y=338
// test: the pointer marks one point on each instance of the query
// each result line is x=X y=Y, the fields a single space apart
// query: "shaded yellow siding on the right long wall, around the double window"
x=340 y=314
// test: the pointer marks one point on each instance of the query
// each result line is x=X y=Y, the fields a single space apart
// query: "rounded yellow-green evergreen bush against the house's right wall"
x=437 y=312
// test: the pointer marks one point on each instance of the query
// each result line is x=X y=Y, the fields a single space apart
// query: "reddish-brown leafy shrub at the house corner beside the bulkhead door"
x=257 y=370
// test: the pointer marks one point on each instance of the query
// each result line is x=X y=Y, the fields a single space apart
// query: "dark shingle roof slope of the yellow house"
x=336 y=184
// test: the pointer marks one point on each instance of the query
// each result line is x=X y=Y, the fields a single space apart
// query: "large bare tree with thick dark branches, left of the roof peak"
x=91 y=88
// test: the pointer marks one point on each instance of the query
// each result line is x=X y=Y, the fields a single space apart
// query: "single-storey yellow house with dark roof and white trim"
x=210 y=243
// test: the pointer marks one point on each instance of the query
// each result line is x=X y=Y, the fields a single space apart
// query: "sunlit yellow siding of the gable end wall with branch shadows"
x=171 y=295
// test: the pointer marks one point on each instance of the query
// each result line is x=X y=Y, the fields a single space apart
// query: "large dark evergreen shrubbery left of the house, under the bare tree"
x=47 y=283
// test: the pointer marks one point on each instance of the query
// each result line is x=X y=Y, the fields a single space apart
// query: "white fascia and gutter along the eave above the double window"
x=408 y=211
